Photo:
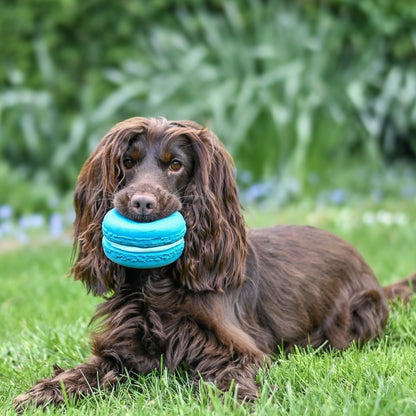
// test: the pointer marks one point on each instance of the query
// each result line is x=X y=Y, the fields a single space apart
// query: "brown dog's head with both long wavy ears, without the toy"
x=149 y=168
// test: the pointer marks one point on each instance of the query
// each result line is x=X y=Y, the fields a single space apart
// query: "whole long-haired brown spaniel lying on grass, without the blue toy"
x=233 y=298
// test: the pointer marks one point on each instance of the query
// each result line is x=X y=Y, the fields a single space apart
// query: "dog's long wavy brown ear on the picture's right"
x=215 y=242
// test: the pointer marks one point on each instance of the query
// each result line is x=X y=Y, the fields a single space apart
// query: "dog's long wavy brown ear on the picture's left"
x=99 y=179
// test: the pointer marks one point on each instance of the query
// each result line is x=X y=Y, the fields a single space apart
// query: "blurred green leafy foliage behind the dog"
x=291 y=87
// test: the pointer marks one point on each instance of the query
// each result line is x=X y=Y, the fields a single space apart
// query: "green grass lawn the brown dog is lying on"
x=44 y=320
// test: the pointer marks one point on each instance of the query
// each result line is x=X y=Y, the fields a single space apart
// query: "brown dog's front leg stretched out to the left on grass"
x=115 y=350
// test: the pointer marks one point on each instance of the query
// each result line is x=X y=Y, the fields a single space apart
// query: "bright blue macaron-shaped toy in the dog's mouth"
x=143 y=245
